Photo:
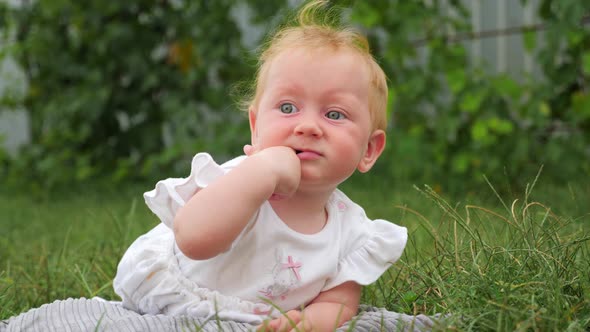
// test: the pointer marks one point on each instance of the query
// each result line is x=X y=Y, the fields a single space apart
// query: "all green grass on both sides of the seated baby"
x=515 y=261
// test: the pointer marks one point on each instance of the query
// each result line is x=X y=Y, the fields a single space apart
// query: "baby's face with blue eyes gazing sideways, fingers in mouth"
x=317 y=103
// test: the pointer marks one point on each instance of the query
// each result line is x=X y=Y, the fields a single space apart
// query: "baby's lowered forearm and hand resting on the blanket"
x=326 y=312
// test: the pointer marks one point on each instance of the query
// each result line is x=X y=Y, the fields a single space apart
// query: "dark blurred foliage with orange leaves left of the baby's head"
x=111 y=82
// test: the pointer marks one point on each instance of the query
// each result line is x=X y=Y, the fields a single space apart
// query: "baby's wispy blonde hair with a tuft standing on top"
x=315 y=28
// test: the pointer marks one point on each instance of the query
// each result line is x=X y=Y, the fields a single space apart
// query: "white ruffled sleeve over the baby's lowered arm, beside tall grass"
x=372 y=246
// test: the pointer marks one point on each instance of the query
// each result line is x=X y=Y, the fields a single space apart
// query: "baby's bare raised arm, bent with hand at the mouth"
x=213 y=218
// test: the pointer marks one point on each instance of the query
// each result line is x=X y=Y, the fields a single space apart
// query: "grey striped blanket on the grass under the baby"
x=99 y=315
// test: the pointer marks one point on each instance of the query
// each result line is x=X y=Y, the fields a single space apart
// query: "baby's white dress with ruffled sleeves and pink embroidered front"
x=268 y=263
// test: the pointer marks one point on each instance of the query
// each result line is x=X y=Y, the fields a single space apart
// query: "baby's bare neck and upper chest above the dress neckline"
x=303 y=213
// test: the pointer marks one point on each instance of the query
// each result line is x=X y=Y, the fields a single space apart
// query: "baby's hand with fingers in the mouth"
x=282 y=162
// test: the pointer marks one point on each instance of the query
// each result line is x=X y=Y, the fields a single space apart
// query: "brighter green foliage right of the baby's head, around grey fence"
x=453 y=120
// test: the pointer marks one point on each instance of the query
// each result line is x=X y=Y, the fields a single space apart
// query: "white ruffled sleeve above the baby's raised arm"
x=171 y=194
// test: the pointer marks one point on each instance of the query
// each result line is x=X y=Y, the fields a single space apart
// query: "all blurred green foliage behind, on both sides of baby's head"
x=133 y=89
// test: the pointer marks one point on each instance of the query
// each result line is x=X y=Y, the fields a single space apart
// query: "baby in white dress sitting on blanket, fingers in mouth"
x=267 y=238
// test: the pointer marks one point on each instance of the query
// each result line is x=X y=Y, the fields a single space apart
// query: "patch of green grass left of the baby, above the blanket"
x=66 y=246
